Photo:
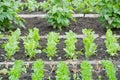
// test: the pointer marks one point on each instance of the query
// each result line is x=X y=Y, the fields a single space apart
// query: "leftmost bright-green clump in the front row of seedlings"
x=16 y=70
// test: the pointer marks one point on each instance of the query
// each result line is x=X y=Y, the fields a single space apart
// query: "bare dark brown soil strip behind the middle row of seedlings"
x=81 y=23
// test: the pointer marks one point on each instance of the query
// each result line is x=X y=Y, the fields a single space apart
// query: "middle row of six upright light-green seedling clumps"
x=11 y=46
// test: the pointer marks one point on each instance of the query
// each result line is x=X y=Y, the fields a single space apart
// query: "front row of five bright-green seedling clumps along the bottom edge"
x=62 y=71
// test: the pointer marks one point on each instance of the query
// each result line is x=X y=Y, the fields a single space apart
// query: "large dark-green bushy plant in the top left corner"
x=8 y=14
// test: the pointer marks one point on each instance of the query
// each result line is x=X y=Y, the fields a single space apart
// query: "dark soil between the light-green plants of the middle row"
x=99 y=55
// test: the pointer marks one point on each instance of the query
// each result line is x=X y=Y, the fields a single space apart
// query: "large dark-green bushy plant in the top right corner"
x=110 y=13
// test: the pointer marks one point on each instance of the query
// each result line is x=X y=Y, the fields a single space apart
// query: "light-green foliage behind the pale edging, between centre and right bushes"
x=86 y=6
